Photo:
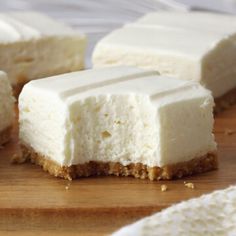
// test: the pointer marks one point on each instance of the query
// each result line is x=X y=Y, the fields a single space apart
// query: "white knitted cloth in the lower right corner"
x=212 y=214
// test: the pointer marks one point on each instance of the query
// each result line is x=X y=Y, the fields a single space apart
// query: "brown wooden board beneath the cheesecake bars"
x=33 y=202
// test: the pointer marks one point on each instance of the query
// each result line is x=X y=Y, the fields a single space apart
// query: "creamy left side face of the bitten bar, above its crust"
x=43 y=127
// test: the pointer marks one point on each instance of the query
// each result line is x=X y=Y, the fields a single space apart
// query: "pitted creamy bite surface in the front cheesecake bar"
x=115 y=128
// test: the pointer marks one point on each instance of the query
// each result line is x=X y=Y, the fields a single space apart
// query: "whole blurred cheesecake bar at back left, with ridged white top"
x=33 y=46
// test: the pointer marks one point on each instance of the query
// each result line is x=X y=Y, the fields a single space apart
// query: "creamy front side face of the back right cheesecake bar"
x=167 y=64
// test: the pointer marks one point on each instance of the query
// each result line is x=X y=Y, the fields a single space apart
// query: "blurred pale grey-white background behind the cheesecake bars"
x=98 y=17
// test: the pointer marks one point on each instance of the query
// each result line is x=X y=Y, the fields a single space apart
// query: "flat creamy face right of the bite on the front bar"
x=186 y=128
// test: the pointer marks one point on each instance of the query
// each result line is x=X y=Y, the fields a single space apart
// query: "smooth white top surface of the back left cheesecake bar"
x=17 y=26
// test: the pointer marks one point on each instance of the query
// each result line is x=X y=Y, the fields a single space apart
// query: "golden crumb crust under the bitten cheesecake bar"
x=195 y=166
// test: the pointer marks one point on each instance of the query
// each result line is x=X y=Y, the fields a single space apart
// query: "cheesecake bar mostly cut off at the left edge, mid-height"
x=6 y=109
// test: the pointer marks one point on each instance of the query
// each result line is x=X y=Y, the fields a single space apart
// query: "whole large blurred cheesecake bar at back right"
x=190 y=46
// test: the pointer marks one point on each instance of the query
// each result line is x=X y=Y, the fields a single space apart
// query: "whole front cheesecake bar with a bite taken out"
x=121 y=121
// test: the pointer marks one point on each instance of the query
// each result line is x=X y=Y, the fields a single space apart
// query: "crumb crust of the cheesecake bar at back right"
x=224 y=102
